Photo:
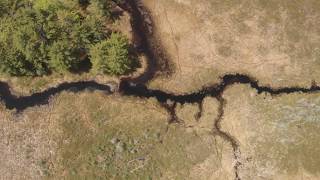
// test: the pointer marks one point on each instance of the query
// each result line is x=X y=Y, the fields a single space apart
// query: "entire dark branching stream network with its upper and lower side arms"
x=136 y=87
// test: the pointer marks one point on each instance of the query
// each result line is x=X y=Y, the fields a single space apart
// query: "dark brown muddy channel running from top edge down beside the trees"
x=145 y=42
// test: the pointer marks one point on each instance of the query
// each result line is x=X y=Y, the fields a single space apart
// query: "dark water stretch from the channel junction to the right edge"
x=141 y=90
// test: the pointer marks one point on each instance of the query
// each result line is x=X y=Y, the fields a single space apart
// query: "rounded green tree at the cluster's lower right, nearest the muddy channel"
x=111 y=56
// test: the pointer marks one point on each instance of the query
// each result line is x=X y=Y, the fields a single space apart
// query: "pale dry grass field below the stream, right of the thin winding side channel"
x=278 y=136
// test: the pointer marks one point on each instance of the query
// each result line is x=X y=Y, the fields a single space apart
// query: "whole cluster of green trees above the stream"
x=38 y=37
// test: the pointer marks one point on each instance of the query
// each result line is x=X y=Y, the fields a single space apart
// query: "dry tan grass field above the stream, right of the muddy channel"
x=277 y=42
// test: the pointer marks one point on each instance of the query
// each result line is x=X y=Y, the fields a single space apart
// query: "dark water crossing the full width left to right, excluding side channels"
x=127 y=88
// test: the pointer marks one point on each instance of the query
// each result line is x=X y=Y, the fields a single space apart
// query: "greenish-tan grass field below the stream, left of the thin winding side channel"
x=94 y=136
